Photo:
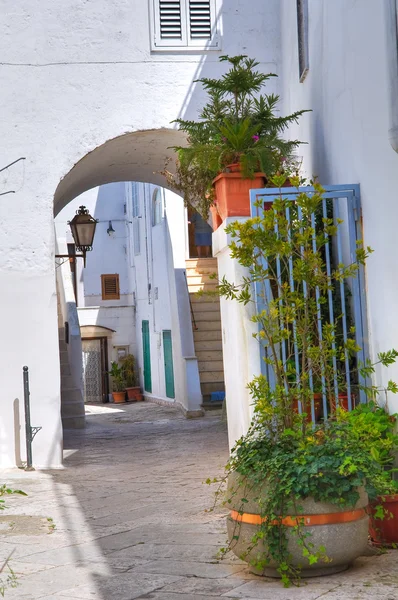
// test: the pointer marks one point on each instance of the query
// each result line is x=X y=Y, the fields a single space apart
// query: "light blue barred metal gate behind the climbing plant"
x=345 y=301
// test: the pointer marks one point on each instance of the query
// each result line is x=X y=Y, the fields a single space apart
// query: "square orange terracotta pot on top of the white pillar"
x=233 y=193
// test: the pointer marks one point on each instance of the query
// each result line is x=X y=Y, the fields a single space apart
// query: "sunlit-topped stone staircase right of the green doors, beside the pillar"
x=206 y=323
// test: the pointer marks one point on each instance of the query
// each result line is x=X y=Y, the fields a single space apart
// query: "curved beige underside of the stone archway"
x=136 y=156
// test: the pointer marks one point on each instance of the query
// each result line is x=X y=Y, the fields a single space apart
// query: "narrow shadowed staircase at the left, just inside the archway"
x=72 y=403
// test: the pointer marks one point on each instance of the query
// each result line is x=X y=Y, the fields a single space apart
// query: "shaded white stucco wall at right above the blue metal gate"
x=347 y=88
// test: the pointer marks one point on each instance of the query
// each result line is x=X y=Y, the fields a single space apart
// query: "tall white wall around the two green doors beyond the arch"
x=162 y=246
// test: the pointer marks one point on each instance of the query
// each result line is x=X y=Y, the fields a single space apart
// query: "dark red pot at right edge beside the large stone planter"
x=384 y=532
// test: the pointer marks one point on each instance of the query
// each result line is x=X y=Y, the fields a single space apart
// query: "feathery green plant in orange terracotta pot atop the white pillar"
x=236 y=142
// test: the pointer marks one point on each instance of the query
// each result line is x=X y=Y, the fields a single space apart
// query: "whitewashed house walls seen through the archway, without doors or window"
x=147 y=287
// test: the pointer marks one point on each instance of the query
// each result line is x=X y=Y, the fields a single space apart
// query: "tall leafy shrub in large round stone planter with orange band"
x=297 y=492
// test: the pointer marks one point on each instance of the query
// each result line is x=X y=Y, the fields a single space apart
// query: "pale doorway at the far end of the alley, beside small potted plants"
x=95 y=370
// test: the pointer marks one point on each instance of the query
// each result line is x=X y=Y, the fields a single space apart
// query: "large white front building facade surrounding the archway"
x=89 y=95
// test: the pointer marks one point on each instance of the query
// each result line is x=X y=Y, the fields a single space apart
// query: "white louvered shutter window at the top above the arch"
x=184 y=24
